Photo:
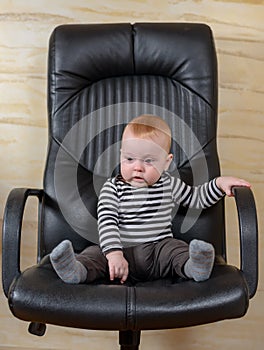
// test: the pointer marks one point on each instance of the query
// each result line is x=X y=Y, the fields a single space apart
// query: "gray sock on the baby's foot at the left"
x=65 y=264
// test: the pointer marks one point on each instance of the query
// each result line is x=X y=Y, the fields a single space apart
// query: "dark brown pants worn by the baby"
x=147 y=261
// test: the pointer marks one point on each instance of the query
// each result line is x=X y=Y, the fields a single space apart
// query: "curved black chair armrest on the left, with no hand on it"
x=11 y=233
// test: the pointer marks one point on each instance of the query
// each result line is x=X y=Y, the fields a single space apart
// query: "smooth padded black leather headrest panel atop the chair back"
x=83 y=54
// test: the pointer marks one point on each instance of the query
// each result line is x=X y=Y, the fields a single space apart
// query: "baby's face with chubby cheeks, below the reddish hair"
x=143 y=160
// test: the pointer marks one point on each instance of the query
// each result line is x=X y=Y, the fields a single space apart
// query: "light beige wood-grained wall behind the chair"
x=238 y=26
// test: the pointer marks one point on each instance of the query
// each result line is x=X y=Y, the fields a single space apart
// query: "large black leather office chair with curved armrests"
x=99 y=77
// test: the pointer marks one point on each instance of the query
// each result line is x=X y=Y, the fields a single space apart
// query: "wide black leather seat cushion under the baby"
x=39 y=295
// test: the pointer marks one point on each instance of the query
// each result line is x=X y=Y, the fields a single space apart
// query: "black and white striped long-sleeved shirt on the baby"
x=129 y=215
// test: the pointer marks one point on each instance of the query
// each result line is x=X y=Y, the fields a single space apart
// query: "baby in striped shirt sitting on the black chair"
x=135 y=215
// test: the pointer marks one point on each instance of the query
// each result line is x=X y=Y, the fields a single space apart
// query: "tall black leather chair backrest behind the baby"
x=102 y=75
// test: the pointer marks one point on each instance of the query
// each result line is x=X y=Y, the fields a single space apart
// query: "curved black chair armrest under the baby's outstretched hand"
x=248 y=230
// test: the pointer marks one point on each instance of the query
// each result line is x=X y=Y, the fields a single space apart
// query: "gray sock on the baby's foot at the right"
x=200 y=263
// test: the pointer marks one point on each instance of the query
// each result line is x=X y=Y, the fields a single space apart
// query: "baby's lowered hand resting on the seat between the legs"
x=118 y=266
